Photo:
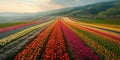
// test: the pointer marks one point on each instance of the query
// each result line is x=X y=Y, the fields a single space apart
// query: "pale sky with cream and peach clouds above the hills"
x=32 y=6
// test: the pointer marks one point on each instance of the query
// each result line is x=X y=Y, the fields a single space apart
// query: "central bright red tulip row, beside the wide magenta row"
x=55 y=48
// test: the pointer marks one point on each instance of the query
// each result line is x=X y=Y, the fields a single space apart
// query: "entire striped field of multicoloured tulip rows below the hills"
x=61 y=38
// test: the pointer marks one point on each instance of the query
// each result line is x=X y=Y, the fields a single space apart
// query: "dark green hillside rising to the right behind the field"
x=109 y=9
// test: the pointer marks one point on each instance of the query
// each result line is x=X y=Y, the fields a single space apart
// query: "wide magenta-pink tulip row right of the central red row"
x=80 y=51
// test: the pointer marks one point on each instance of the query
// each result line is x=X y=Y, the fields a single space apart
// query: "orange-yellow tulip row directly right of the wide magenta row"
x=96 y=46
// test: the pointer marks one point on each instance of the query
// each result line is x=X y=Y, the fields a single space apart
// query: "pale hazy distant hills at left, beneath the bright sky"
x=8 y=17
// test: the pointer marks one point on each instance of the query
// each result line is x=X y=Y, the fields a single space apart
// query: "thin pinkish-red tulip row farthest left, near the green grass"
x=17 y=26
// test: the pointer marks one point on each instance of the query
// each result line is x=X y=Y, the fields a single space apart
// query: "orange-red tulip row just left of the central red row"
x=32 y=50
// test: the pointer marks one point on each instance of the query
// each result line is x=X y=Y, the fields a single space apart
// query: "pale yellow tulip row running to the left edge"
x=10 y=38
